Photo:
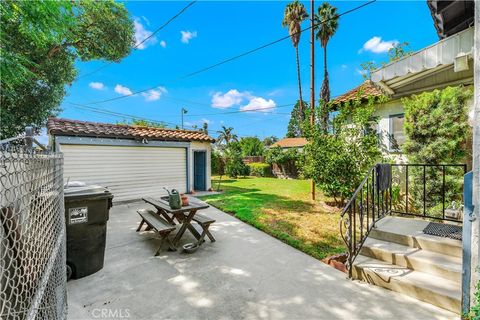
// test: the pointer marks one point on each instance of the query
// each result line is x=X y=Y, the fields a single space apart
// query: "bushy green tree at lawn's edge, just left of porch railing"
x=338 y=162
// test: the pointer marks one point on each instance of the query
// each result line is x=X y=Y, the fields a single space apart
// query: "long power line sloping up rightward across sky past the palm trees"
x=191 y=74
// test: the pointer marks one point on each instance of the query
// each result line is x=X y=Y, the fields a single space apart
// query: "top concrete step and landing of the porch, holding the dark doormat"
x=409 y=232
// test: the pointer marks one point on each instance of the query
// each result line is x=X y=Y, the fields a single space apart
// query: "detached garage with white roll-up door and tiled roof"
x=132 y=161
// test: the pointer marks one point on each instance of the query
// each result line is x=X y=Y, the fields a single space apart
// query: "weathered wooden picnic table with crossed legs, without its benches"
x=184 y=216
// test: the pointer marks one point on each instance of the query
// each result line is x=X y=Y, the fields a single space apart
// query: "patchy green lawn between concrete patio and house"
x=283 y=209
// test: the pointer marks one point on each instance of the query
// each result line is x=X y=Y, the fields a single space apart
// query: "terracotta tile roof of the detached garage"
x=57 y=126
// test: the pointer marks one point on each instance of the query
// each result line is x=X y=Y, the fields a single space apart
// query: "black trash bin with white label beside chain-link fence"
x=86 y=215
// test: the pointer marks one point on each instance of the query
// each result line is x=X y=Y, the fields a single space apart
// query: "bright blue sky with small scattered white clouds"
x=209 y=32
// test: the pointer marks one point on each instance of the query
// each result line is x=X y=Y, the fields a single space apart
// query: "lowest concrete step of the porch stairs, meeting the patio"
x=433 y=289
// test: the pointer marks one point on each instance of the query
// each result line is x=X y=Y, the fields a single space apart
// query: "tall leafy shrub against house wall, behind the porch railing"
x=437 y=131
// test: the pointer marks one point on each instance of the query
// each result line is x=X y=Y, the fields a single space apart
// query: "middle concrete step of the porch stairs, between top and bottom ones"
x=444 y=266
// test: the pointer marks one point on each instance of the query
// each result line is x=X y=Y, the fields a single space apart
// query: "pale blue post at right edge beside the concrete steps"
x=468 y=218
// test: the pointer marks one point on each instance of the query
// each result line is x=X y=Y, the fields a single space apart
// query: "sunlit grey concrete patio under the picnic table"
x=246 y=274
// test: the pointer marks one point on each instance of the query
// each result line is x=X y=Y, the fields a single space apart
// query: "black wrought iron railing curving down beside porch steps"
x=428 y=191
